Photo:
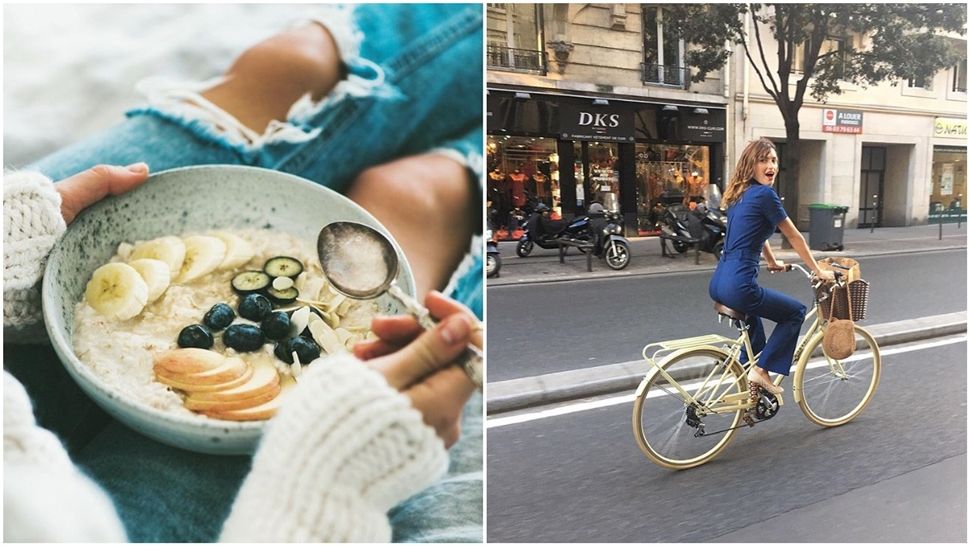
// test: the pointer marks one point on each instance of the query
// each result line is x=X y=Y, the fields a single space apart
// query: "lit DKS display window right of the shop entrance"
x=668 y=175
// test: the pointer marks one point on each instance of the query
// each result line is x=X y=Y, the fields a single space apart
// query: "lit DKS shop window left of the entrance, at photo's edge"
x=523 y=172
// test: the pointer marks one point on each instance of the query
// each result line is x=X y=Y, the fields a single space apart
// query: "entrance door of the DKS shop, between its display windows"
x=597 y=169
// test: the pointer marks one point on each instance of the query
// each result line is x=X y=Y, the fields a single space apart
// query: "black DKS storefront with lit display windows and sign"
x=634 y=158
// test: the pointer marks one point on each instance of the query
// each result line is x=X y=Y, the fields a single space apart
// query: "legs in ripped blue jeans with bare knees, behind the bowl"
x=373 y=101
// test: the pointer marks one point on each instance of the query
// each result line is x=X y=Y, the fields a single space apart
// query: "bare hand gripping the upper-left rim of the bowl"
x=84 y=189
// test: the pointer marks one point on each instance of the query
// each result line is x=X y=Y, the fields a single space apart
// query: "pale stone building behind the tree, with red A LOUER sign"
x=895 y=155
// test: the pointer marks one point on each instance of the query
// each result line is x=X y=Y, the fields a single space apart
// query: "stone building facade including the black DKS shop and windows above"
x=593 y=102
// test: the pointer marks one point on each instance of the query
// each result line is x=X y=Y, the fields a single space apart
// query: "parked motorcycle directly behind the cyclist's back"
x=704 y=226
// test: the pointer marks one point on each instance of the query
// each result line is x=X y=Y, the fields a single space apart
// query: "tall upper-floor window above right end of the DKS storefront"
x=663 y=55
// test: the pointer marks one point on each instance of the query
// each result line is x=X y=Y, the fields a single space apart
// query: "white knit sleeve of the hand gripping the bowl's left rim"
x=32 y=223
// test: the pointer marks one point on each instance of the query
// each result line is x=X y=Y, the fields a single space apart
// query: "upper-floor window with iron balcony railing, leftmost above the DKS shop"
x=515 y=38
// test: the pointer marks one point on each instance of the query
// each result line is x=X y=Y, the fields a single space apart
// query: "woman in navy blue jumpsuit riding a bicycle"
x=754 y=211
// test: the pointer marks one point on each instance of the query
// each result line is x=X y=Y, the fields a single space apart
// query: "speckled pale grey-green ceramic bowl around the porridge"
x=171 y=203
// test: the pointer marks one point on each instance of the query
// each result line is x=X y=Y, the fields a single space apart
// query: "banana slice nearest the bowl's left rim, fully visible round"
x=116 y=290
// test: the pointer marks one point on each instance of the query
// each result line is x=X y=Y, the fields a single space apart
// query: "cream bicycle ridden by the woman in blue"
x=696 y=395
